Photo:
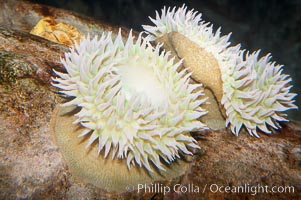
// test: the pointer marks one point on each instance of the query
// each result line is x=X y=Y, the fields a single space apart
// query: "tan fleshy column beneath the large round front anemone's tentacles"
x=105 y=173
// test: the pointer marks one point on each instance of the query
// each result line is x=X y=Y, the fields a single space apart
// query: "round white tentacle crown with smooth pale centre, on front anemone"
x=133 y=101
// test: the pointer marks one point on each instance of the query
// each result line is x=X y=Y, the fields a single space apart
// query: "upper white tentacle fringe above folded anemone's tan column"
x=190 y=24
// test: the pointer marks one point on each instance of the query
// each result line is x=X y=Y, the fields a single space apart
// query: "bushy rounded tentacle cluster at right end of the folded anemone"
x=257 y=94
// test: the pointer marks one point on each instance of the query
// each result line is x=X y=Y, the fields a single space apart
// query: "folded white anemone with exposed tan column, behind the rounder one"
x=253 y=93
